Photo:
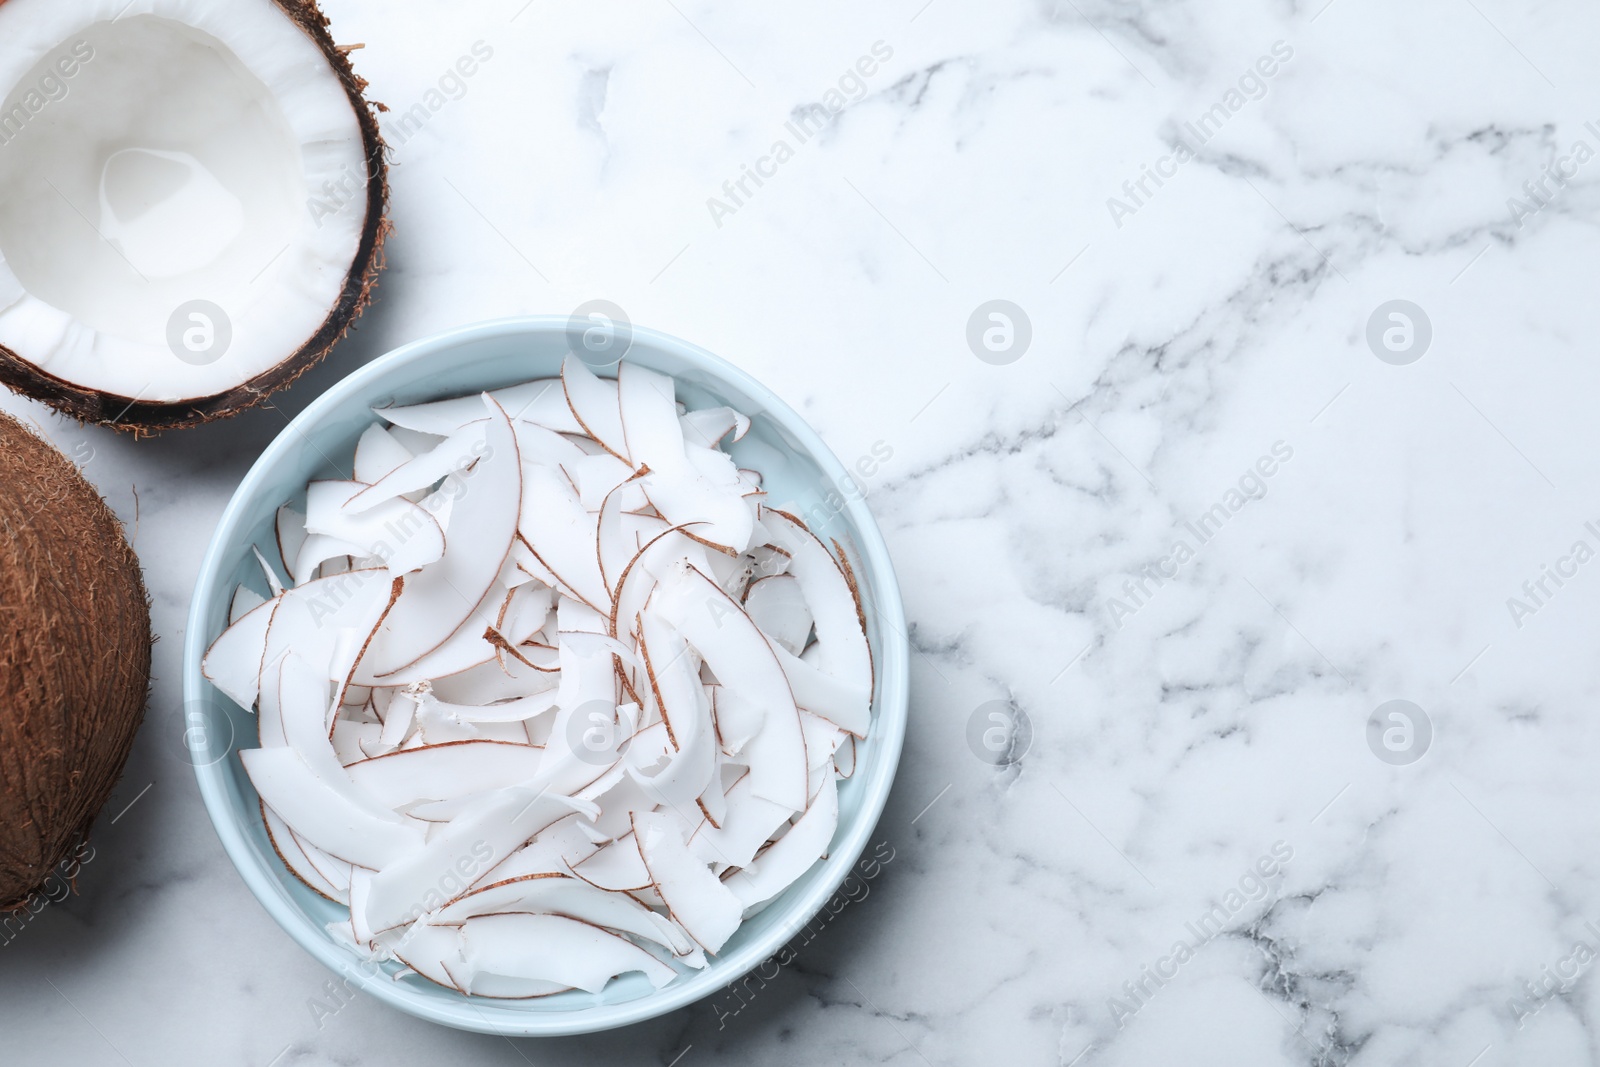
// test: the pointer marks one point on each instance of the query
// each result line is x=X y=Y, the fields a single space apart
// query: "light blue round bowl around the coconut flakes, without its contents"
x=798 y=470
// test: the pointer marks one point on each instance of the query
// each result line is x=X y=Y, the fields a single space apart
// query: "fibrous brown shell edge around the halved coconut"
x=143 y=418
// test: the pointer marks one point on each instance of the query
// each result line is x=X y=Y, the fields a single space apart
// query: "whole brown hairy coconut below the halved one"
x=74 y=658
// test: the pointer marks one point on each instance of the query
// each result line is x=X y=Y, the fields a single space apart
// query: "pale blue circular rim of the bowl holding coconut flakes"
x=850 y=839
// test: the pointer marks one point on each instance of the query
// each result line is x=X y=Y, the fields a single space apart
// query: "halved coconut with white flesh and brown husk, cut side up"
x=191 y=204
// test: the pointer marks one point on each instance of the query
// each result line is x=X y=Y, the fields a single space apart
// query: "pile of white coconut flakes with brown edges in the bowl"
x=545 y=695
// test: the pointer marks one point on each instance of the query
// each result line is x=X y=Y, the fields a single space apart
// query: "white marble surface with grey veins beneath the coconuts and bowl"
x=1174 y=746
